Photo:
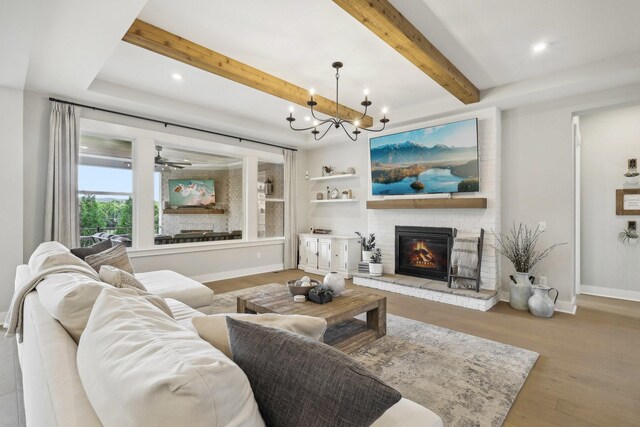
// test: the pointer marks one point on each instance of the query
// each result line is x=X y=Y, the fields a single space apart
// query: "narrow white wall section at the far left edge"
x=11 y=115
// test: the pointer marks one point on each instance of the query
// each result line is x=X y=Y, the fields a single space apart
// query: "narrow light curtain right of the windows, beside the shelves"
x=290 y=222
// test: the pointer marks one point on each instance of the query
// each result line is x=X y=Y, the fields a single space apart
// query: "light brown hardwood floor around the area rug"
x=588 y=373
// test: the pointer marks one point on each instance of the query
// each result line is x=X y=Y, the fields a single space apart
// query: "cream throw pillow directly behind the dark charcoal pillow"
x=213 y=328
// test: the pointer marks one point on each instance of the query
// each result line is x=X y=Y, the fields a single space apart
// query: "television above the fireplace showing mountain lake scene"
x=436 y=159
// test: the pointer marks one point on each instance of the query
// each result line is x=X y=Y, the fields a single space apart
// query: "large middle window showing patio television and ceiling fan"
x=198 y=197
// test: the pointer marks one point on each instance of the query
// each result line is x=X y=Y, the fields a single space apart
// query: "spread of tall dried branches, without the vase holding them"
x=519 y=247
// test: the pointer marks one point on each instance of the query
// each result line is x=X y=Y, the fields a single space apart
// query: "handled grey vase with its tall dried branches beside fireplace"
x=519 y=247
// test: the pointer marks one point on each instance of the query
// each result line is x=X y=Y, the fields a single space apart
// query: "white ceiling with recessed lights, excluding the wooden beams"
x=592 y=42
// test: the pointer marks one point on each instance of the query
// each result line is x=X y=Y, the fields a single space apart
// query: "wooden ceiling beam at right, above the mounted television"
x=393 y=28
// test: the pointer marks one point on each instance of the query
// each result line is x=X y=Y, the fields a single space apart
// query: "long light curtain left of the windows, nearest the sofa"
x=62 y=210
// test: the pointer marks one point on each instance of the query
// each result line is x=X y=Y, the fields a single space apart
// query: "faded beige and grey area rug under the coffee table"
x=466 y=380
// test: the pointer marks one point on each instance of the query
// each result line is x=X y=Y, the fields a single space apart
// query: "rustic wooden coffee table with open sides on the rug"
x=338 y=313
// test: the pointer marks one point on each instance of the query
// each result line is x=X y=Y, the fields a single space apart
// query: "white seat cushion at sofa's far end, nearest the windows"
x=170 y=284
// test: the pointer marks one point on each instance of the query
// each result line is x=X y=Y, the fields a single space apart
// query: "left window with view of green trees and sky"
x=105 y=189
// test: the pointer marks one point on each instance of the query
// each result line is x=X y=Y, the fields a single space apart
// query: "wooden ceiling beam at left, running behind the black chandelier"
x=157 y=40
